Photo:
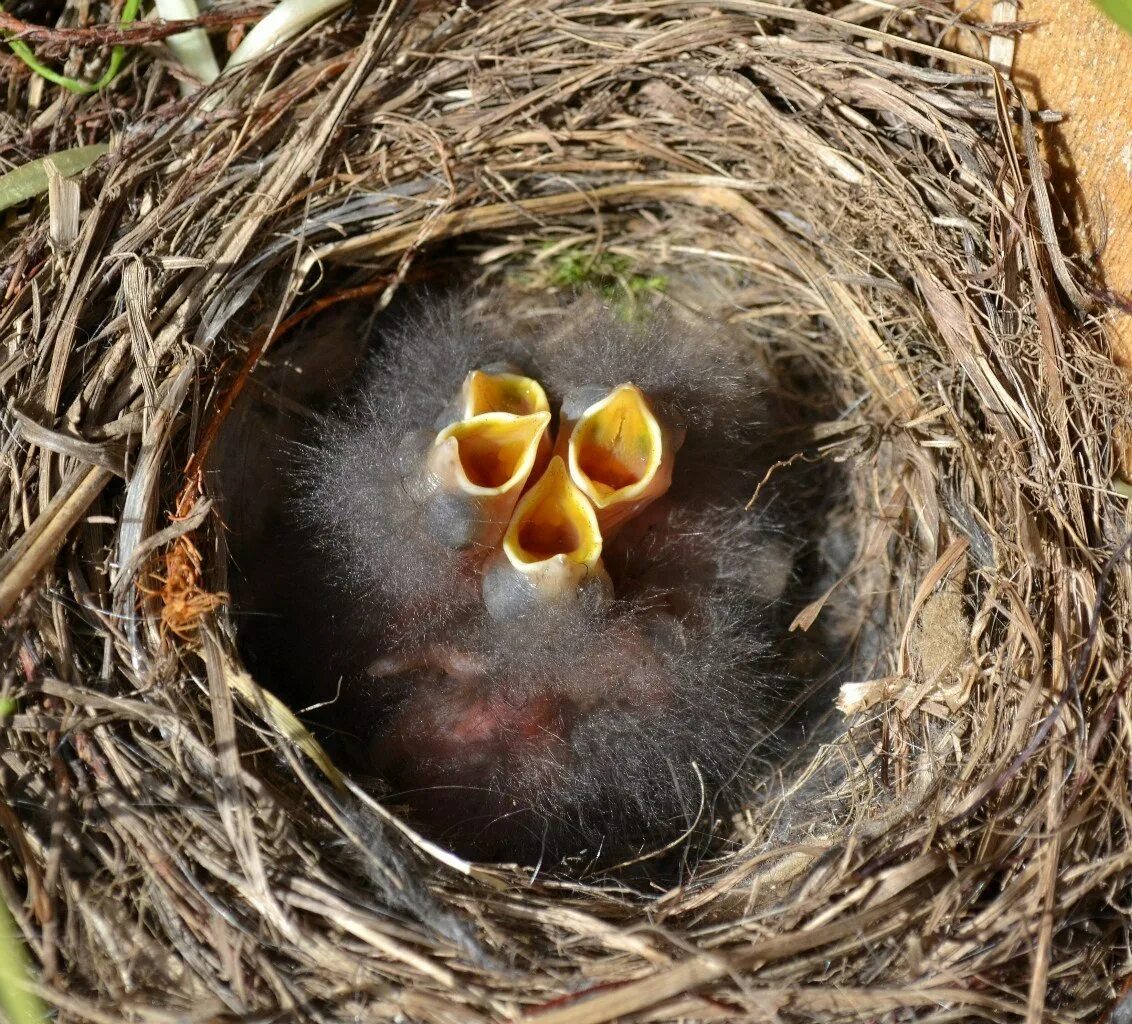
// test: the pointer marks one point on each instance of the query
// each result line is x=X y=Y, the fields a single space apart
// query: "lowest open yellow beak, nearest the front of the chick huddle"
x=552 y=548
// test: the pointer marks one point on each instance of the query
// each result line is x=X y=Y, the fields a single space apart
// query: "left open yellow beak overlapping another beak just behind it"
x=487 y=461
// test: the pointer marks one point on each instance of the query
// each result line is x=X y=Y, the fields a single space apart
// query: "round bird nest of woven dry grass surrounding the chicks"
x=839 y=183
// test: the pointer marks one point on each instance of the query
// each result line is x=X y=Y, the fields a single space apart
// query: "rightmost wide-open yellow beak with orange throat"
x=621 y=454
